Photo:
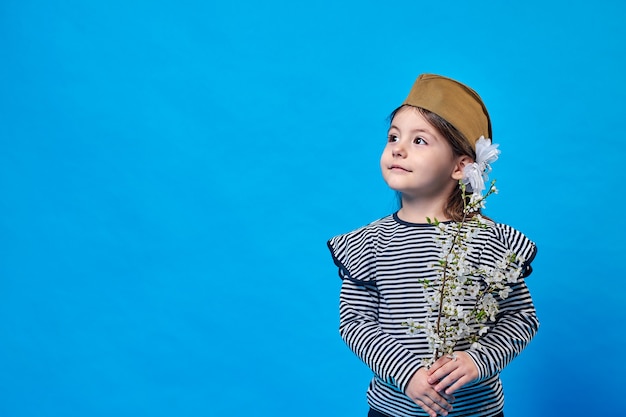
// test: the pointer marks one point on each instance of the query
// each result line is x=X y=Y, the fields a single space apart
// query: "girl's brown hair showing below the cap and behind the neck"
x=460 y=146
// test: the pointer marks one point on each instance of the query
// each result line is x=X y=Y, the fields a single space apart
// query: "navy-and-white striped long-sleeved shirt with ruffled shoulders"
x=382 y=266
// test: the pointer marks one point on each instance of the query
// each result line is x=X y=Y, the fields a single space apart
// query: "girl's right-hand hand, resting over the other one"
x=449 y=374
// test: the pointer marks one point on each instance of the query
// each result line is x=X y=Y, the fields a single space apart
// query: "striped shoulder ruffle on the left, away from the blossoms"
x=354 y=254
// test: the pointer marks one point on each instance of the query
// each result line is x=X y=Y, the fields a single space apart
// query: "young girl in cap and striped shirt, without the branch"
x=431 y=150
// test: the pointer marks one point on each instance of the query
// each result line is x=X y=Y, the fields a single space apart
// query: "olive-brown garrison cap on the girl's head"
x=455 y=102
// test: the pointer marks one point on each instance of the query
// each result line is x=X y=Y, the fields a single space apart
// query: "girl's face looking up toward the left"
x=418 y=161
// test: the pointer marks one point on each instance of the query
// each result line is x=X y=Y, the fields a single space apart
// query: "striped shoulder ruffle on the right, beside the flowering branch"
x=502 y=241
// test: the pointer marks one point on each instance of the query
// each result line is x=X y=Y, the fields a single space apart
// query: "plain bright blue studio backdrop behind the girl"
x=171 y=170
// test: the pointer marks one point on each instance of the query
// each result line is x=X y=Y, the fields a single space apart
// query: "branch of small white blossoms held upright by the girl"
x=464 y=299
